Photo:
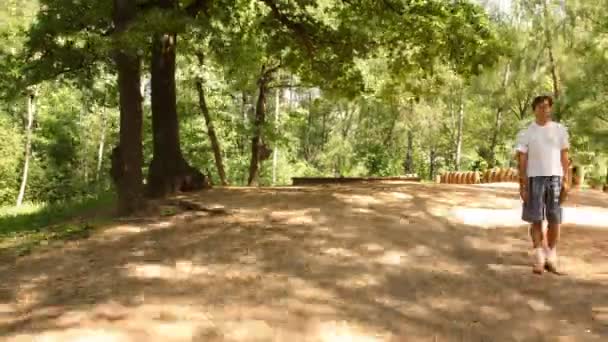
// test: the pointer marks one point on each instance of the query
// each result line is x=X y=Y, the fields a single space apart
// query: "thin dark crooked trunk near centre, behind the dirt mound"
x=259 y=150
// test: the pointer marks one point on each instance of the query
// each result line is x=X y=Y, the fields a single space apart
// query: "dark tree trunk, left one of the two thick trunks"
x=127 y=157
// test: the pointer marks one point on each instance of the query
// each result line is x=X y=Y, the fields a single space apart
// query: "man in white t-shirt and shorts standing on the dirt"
x=543 y=166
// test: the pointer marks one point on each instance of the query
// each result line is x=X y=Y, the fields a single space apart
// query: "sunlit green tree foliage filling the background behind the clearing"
x=355 y=80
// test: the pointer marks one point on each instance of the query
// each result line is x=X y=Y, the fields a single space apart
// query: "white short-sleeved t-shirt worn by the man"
x=543 y=144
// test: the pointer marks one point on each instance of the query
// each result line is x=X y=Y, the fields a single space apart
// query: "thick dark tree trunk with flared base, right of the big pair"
x=169 y=172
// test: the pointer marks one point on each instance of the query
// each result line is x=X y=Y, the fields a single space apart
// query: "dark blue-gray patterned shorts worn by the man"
x=543 y=200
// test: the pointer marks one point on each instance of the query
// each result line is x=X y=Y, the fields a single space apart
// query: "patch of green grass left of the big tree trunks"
x=30 y=225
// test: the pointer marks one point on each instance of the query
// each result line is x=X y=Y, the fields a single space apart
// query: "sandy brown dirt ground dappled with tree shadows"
x=372 y=262
